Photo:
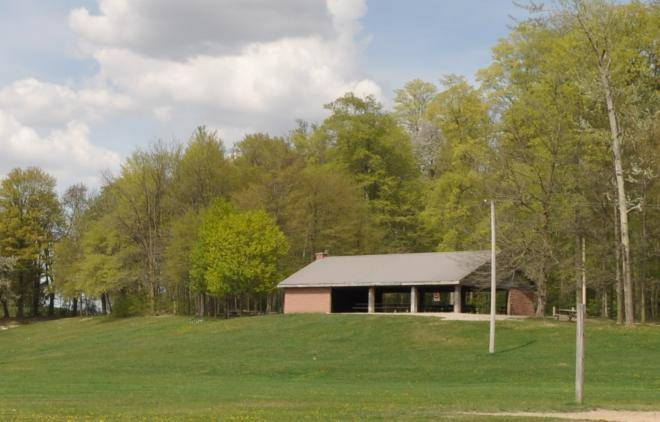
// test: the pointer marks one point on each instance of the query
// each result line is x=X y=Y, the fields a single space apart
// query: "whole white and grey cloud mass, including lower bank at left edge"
x=235 y=65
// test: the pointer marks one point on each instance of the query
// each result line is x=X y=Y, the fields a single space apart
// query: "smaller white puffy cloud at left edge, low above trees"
x=65 y=153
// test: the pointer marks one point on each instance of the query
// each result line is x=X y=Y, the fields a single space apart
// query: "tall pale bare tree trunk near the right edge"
x=621 y=191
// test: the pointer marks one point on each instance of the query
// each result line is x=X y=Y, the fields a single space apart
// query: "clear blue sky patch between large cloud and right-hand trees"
x=428 y=38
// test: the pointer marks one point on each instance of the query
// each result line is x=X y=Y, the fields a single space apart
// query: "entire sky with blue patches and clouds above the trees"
x=83 y=83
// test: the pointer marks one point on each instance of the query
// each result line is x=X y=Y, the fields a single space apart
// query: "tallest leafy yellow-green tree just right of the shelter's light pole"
x=536 y=102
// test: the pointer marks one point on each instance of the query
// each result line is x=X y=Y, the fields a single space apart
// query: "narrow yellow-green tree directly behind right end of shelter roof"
x=454 y=211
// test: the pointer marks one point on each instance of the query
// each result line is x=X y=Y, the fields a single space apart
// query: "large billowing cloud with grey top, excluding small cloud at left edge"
x=286 y=58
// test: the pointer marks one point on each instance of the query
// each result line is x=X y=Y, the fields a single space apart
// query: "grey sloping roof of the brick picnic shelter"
x=389 y=270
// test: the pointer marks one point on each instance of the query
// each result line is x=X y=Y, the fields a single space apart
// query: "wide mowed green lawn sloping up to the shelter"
x=292 y=367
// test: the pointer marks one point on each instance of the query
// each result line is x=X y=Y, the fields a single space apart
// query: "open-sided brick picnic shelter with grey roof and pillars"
x=407 y=282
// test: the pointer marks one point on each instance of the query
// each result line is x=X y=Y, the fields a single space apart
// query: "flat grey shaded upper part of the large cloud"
x=176 y=29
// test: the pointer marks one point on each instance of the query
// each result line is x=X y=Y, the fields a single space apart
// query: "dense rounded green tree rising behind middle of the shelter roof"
x=369 y=144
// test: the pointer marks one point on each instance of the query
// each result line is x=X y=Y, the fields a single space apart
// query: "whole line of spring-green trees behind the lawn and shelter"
x=561 y=130
